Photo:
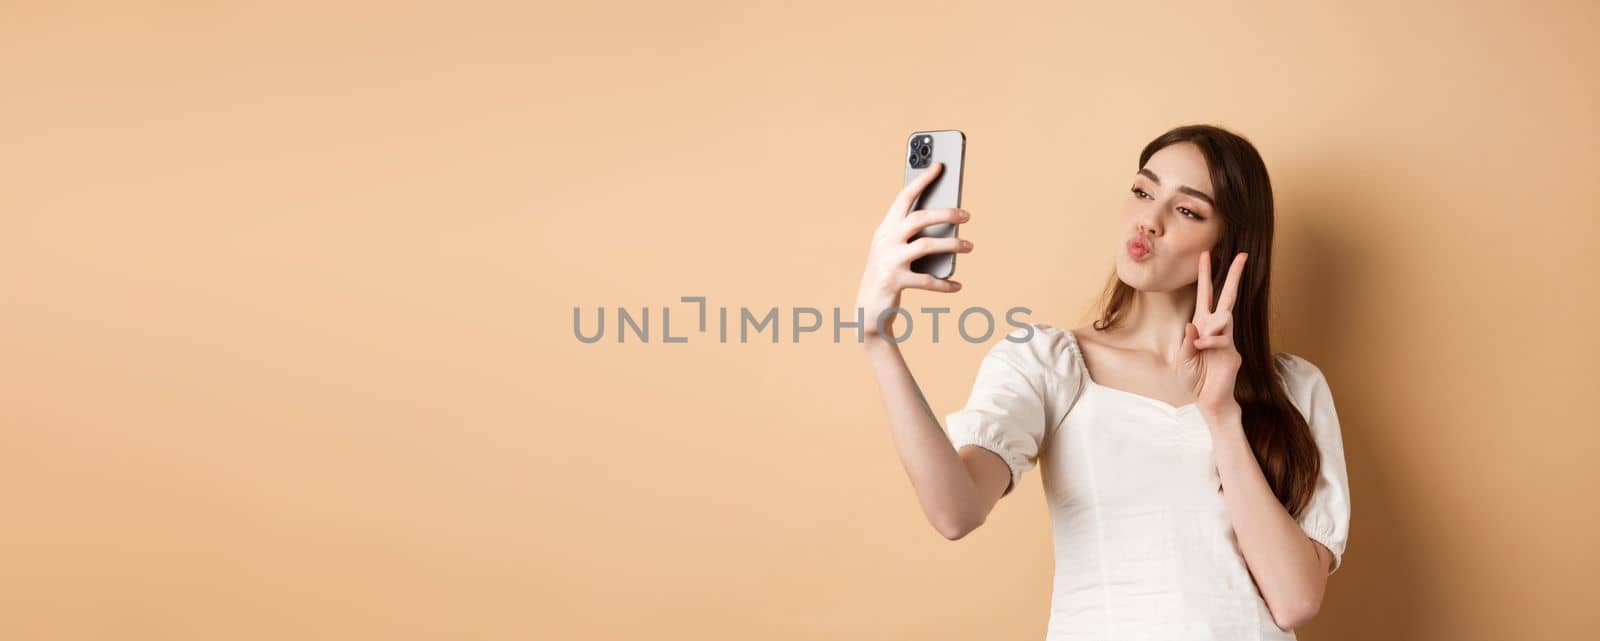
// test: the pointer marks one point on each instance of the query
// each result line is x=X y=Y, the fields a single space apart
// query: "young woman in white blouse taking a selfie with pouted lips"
x=1196 y=479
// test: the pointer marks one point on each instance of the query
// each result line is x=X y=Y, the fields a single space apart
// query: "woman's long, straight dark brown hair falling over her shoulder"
x=1278 y=432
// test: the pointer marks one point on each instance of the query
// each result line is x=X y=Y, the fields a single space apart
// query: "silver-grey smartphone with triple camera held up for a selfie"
x=922 y=151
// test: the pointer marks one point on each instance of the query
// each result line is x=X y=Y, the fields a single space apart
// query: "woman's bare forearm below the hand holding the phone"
x=942 y=482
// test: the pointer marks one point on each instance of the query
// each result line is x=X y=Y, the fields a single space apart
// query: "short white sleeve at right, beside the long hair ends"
x=1327 y=519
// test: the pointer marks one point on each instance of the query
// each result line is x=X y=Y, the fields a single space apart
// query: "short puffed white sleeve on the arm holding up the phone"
x=1018 y=397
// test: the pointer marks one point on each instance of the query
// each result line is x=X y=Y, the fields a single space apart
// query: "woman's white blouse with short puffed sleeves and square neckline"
x=1143 y=544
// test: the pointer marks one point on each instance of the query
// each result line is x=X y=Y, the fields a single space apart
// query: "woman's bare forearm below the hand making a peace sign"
x=1281 y=557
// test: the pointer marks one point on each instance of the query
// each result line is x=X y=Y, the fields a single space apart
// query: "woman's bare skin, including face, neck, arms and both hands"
x=1177 y=346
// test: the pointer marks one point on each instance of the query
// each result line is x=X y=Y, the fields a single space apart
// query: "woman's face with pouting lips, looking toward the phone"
x=1170 y=207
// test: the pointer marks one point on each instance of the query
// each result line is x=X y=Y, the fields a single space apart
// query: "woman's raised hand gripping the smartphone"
x=889 y=261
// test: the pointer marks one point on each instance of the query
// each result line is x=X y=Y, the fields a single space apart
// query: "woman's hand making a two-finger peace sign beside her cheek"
x=1209 y=362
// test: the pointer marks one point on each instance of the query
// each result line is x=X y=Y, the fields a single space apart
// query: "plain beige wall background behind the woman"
x=286 y=306
